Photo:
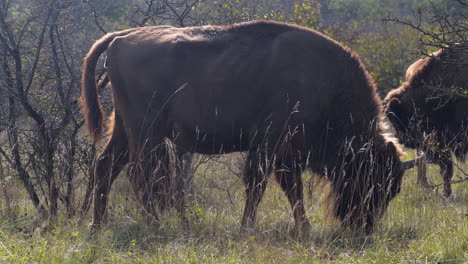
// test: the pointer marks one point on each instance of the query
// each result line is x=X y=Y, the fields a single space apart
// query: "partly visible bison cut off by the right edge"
x=429 y=112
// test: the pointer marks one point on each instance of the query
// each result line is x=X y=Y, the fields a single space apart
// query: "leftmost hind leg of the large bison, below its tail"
x=107 y=166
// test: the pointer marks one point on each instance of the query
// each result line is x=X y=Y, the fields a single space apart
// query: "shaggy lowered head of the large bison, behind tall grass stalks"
x=366 y=184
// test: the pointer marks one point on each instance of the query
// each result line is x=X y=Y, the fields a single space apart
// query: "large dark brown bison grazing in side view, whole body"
x=290 y=97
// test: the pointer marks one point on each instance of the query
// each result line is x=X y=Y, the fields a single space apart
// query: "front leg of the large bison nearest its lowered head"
x=289 y=178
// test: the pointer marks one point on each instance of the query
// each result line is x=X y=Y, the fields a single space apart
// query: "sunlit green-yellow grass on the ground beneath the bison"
x=420 y=226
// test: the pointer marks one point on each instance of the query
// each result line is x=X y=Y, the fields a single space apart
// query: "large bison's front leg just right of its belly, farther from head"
x=256 y=174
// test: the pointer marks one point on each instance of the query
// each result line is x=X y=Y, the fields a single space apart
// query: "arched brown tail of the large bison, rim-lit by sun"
x=90 y=104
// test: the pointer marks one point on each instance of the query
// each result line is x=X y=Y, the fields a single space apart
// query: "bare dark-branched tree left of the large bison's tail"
x=40 y=74
